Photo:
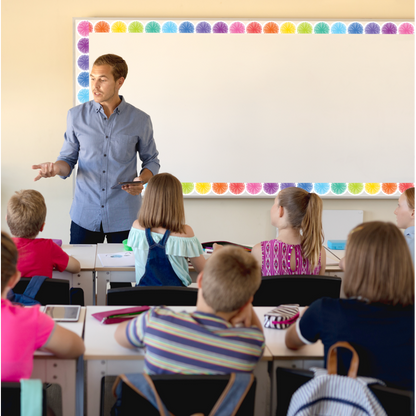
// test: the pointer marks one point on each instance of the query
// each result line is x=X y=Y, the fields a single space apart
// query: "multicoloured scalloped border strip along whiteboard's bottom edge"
x=273 y=188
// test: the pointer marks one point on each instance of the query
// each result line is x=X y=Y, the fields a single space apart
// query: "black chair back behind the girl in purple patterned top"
x=301 y=289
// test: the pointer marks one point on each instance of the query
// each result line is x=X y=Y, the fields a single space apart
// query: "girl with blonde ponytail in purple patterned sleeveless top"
x=297 y=214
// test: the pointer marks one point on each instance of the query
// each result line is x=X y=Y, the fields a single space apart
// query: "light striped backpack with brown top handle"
x=329 y=394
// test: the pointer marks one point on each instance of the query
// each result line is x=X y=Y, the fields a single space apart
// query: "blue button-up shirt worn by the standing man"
x=106 y=151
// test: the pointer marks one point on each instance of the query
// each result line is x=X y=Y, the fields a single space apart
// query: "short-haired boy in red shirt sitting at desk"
x=26 y=213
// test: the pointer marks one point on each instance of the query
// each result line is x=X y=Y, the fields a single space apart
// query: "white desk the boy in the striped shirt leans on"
x=105 y=357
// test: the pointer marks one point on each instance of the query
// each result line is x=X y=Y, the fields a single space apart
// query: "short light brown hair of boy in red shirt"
x=26 y=213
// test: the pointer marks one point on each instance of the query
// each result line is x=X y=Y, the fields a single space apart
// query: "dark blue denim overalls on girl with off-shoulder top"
x=158 y=271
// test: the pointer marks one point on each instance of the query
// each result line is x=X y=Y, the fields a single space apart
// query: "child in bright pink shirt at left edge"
x=26 y=329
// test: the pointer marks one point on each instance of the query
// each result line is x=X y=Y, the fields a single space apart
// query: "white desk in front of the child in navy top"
x=304 y=358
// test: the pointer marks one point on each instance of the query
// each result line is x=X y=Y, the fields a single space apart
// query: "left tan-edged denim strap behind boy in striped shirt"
x=142 y=384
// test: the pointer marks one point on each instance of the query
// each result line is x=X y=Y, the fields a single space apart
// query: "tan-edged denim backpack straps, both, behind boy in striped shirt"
x=227 y=404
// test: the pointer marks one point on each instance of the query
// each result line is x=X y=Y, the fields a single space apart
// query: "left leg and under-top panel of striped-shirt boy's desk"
x=97 y=369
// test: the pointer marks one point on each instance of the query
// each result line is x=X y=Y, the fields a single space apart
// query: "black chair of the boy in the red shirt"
x=52 y=291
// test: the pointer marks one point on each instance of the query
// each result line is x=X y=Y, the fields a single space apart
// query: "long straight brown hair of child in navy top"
x=378 y=265
